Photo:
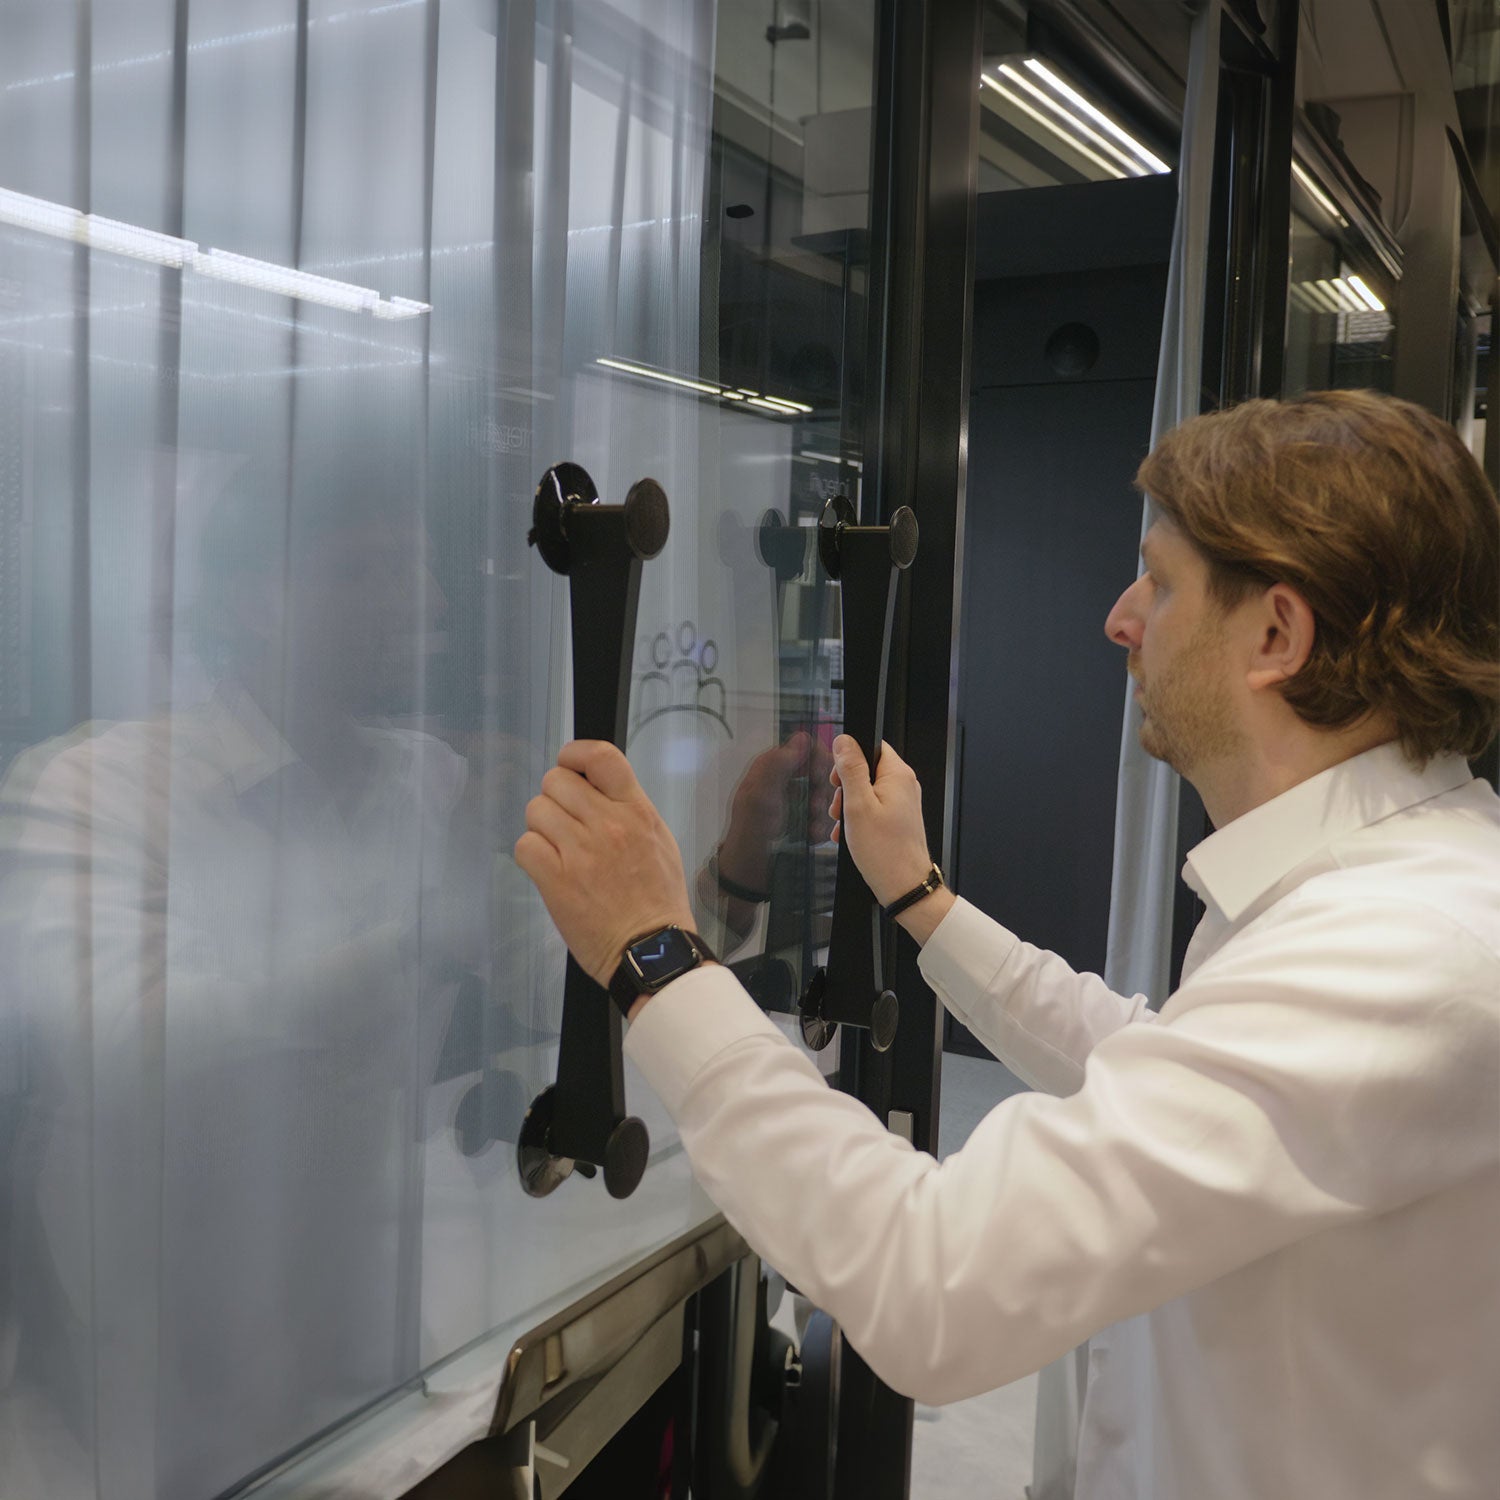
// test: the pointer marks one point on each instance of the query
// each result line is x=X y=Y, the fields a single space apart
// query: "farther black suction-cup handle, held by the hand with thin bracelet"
x=868 y=562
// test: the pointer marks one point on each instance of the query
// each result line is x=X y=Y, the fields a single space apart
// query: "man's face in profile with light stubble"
x=1180 y=647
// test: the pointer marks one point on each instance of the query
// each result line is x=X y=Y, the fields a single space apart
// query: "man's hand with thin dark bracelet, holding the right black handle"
x=883 y=823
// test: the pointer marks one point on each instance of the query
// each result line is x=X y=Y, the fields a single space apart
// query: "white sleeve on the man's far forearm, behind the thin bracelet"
x=1039 y=1016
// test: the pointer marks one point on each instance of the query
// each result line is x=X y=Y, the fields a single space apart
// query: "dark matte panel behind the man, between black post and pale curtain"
x=1060 y=421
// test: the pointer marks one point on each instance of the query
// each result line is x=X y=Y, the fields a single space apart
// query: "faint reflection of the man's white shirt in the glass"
x=218 y=977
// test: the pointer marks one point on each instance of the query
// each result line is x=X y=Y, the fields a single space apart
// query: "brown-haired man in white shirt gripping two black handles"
x=1289 y=1181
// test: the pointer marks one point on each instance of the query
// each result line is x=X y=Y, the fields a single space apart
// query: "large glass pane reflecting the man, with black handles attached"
x=298 y=301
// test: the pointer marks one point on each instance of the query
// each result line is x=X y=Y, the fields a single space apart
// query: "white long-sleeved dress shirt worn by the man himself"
x=1280 y=1196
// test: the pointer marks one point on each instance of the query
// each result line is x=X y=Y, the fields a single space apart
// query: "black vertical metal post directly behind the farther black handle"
x=922 y=290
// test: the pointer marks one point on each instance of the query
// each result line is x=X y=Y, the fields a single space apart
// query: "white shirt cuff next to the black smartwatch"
x=686 y=1025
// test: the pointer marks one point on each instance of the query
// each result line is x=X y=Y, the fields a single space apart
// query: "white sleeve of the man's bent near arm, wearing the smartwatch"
x=1301 y=1085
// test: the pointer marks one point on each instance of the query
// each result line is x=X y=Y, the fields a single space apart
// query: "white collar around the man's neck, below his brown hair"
x=1238 y=865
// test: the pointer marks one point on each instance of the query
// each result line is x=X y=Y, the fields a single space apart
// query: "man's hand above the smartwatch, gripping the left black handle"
x=604 y=860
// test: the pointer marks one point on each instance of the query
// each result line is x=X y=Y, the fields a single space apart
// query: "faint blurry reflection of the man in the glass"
x=223 y=926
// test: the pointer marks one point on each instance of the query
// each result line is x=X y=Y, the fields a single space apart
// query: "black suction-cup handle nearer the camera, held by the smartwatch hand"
x=581 y=1120
